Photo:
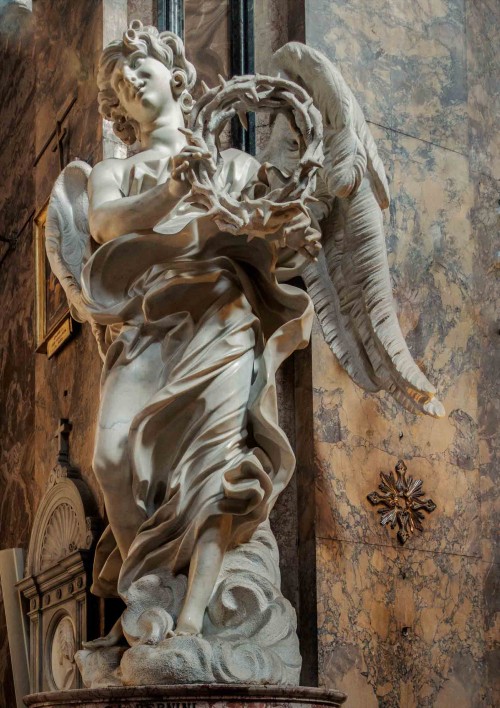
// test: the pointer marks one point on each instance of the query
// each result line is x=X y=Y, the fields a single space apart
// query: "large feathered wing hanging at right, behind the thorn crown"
x=350 y=283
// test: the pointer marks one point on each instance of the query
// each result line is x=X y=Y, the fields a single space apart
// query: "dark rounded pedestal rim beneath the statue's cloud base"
x=193 y=696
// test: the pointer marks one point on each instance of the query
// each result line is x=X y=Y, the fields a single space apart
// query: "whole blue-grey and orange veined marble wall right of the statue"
x=415 y=626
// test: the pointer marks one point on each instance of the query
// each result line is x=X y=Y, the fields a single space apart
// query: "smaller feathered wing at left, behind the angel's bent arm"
x=68 y=240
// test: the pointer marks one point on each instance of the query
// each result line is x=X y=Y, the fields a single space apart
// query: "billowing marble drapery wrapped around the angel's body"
x=199 y=314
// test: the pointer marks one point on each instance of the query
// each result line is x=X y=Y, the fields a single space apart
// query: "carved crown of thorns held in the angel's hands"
x=248 y=213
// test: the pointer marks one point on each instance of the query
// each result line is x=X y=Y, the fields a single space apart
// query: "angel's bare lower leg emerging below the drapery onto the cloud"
x=203 y=572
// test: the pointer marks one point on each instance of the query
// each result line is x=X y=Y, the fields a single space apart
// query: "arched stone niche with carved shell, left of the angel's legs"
x=56 y=588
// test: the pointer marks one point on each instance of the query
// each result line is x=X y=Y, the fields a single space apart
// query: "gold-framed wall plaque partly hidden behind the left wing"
x=53 y=322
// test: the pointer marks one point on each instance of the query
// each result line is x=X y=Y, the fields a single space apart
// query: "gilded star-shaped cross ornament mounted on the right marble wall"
x=402 y=498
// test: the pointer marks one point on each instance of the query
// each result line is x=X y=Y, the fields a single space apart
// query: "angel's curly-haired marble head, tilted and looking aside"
x=140 y=76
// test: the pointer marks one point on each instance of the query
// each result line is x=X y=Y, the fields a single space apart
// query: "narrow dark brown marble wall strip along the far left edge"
x=17 y=375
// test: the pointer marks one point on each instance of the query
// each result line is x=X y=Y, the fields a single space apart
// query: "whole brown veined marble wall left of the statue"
x=47 y=56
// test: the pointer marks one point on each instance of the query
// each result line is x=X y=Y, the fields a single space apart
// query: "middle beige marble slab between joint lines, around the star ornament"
x=432 y=252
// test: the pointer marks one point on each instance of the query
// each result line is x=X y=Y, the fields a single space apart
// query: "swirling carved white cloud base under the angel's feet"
x=249 y=631
